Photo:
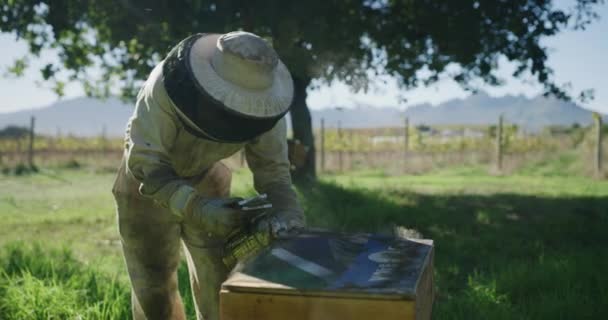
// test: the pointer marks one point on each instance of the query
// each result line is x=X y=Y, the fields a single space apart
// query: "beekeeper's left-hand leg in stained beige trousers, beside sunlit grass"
x=151 y=242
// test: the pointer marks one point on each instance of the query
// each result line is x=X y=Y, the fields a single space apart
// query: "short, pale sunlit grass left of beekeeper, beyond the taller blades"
x=70 y=208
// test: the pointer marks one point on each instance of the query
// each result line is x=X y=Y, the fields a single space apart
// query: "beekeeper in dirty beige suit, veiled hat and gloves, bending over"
x=212 y=96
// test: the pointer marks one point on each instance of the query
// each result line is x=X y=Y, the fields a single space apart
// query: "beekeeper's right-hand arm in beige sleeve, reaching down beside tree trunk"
x=267 y=159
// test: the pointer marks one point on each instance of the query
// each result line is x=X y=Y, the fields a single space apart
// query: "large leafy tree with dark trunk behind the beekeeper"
x=412 y=40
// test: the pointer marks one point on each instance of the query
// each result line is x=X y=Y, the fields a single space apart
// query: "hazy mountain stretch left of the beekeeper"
x=80 y=116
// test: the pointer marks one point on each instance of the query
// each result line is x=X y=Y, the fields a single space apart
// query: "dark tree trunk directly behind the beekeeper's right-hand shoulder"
x=302 y=131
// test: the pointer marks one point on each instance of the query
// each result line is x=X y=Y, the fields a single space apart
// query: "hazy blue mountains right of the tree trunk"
x=479 y=109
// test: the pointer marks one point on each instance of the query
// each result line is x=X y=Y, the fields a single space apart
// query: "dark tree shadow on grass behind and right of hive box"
x=503 y=256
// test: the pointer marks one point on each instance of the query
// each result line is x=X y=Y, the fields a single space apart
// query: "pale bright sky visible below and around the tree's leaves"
x=577 y=57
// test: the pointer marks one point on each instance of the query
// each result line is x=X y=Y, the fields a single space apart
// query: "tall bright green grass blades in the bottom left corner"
x=38 y=283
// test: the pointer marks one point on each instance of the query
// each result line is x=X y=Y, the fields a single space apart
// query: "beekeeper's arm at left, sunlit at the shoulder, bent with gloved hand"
x=151 y=135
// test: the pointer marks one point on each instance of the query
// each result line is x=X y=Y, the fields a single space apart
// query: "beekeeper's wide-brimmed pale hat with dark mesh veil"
x=227 y=87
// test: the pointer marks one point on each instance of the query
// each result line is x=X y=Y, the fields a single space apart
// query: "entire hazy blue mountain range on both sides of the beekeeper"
x=89 y=117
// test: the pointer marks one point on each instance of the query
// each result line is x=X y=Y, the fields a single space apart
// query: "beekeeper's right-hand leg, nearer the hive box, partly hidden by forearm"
x=204 y=252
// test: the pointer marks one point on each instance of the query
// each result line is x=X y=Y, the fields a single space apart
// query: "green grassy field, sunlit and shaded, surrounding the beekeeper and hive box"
x=531 y=245
